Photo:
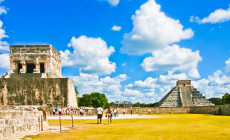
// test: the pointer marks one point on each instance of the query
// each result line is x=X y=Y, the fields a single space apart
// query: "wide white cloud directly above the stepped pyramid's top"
x=175 y=59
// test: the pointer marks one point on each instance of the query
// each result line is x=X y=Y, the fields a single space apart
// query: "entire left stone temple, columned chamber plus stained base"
x=35 y=78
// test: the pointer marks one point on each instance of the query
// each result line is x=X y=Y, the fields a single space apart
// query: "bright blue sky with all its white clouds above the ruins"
x=131 y=50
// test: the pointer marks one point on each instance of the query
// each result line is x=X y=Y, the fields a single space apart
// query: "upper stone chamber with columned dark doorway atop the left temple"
x=35 y=59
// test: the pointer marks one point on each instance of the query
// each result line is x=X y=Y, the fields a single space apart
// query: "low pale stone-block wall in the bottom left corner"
x=15 y=123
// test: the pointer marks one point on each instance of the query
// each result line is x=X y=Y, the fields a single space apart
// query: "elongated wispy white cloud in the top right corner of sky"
x=218 y=16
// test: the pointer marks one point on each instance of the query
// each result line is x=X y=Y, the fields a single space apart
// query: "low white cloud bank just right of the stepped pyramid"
x=215 y=85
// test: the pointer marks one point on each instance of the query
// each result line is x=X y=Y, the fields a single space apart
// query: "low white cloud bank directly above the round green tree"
x=111 y=87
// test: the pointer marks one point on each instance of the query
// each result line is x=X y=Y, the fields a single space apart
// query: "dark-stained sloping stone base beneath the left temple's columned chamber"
x=37 y=91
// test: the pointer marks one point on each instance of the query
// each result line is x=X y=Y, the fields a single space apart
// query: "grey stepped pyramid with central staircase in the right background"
x=184 y=95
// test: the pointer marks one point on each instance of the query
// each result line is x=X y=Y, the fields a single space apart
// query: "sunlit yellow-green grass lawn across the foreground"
x=174 y=127
